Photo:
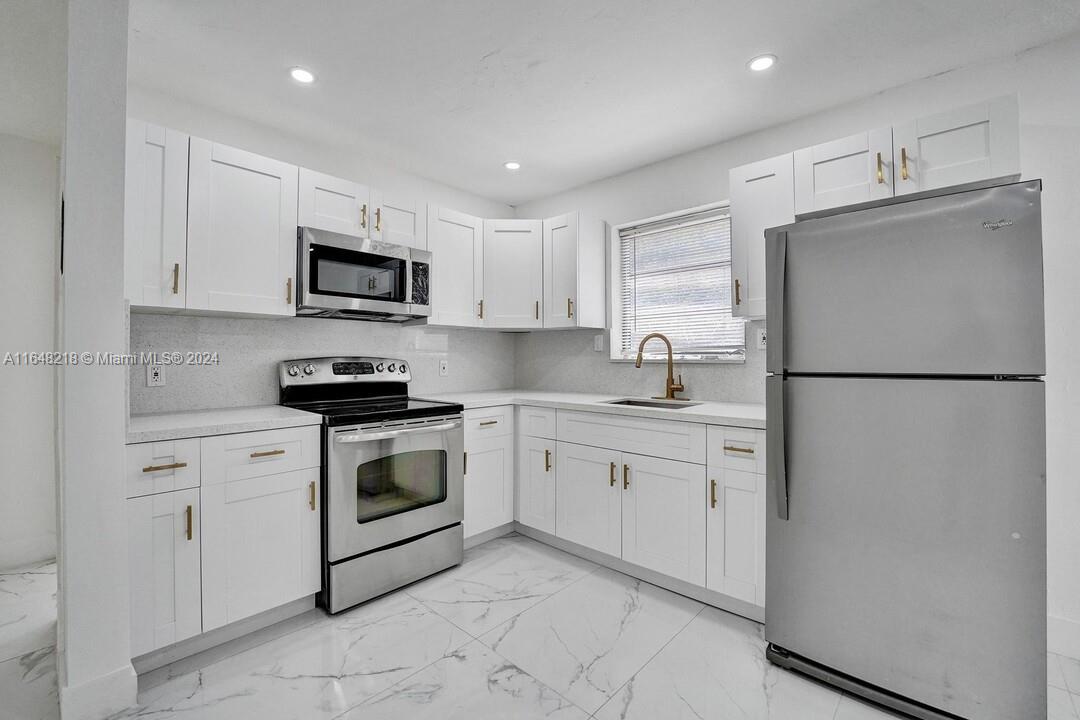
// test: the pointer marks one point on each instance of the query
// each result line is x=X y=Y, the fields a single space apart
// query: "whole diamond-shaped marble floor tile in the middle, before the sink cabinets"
x=588 y=641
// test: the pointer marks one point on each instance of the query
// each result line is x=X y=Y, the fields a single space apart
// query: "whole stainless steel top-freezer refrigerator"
x=907 y=540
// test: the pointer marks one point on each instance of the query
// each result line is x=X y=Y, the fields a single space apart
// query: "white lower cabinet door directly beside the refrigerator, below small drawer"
x=736 y=535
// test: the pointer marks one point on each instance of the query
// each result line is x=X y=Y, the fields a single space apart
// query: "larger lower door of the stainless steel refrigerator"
x=914 y=556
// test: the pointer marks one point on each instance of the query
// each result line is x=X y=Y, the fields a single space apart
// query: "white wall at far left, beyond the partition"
x=30 y=194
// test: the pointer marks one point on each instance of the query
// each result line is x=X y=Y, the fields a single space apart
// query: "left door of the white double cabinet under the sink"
x=589 y=497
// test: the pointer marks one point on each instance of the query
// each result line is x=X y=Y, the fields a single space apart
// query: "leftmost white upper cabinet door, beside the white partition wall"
x=156 y=216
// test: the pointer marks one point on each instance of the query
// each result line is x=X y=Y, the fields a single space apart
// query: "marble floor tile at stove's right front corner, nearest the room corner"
x=499 y=580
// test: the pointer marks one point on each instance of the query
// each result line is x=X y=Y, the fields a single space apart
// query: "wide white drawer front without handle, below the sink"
x=659 y=439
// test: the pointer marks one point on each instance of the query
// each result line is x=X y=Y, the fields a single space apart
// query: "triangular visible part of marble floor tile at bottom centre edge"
x=470 y=684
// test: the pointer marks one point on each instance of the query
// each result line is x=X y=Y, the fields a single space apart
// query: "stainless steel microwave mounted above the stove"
x=345 y=277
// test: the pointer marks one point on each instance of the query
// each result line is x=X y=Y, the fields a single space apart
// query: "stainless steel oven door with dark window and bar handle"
x=389 y=483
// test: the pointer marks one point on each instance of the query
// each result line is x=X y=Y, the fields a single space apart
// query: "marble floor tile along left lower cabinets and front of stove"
x=317 y=672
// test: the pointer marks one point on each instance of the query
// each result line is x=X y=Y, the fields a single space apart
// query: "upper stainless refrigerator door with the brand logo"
x=947 y=286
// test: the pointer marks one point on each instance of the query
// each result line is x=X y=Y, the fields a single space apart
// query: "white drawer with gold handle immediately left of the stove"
x=242 y=456
